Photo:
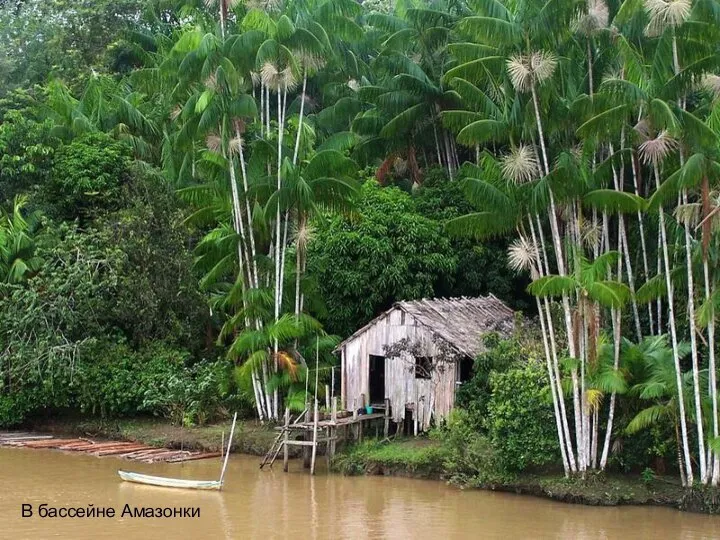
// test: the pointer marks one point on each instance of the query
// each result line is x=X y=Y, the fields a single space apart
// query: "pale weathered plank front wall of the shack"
x=434 y=397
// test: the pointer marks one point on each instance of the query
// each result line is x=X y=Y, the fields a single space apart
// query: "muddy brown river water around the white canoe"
x=272 y=504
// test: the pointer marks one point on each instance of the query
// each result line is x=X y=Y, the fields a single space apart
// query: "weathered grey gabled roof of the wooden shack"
x=459 y=321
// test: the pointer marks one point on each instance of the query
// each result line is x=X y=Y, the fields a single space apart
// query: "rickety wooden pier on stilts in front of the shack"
x=311 y=432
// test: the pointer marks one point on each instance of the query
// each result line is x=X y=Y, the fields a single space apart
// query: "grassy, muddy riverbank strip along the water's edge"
x=412 y=458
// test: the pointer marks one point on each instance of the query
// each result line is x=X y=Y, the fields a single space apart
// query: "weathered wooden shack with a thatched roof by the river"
x=417 y=353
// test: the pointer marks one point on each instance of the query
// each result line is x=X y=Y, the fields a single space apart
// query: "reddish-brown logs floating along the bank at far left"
x=127 y=450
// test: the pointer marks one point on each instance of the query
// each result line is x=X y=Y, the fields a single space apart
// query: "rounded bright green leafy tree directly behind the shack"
x=383 y=251
